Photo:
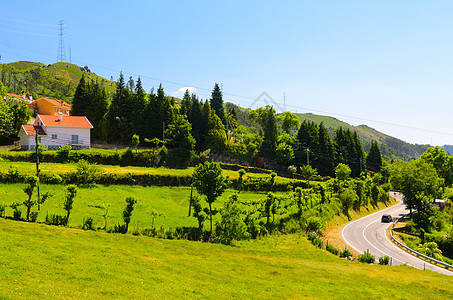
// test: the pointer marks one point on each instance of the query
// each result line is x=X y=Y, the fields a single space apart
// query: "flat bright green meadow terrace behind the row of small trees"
x=173 y=202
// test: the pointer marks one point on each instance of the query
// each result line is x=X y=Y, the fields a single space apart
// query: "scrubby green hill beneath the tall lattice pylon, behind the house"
x=57 y=81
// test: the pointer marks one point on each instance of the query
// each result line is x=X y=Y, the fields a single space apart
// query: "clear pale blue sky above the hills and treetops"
x=386 y=64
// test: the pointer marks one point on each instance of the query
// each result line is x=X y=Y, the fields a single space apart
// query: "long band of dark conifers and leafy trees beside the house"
x=200 y=125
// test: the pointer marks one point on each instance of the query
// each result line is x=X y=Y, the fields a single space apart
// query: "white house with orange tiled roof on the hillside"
x=56 y=131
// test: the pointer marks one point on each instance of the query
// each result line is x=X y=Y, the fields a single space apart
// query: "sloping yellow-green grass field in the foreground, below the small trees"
x=39 y=261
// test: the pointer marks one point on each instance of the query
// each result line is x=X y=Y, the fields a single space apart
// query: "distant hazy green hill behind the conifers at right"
x=391 y=148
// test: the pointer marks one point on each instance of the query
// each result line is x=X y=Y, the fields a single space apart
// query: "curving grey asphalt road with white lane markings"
x=368 y=233
